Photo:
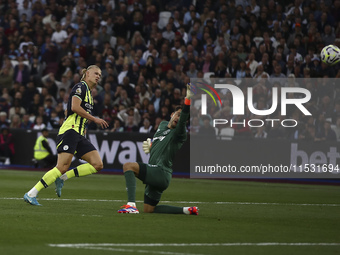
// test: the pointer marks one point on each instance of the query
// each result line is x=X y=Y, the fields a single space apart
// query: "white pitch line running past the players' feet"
x=175 y=202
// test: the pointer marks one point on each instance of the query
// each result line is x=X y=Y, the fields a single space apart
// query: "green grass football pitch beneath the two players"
x=235 y=217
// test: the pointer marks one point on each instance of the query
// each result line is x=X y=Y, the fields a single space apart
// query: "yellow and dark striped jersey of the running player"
x=73 y=120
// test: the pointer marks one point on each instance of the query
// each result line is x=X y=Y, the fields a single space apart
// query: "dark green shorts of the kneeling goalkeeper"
x=156 y=179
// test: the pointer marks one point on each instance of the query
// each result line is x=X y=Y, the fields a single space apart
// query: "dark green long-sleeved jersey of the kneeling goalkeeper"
x=166 y=142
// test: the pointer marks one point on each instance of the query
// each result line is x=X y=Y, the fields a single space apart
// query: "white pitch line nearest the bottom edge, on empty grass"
x=85 y=245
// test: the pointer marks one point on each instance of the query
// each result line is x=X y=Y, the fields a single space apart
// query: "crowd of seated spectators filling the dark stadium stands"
x=147 y=58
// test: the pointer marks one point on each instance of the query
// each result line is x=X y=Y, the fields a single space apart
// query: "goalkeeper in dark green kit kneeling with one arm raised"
x=157 y=174
